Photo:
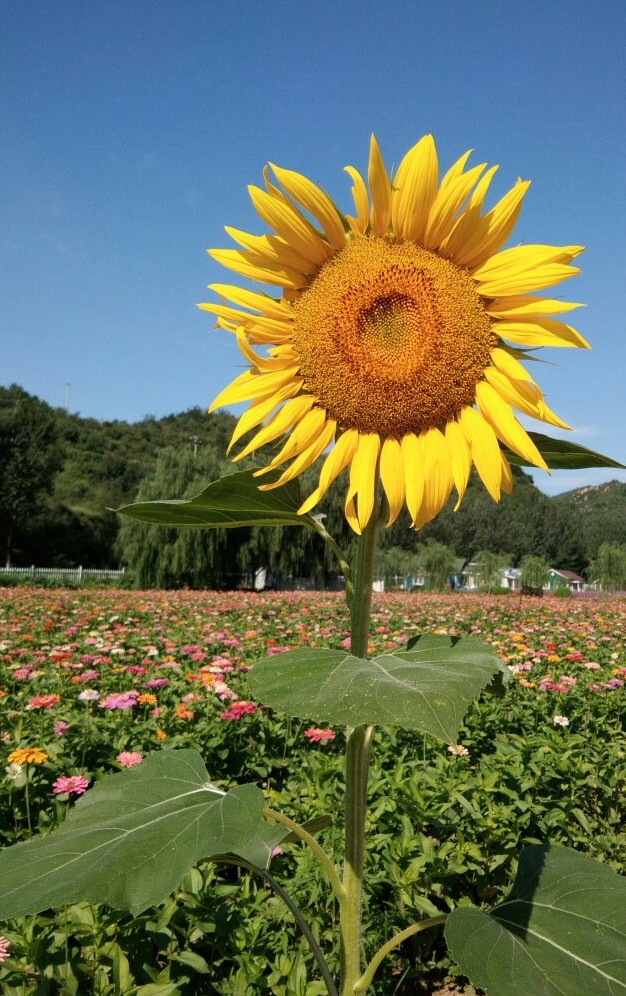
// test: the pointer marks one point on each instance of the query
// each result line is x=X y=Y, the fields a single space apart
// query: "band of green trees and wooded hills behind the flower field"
x=62 y=475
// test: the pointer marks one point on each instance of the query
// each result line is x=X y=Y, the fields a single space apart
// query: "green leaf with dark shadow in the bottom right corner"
x=561 y=931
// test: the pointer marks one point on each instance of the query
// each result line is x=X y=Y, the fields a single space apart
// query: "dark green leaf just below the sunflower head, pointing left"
x=232 y=501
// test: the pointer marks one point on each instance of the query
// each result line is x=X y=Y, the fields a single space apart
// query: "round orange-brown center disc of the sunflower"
x=391 y=337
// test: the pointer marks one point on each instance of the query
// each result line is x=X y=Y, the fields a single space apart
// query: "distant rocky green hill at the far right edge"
x=602 y=513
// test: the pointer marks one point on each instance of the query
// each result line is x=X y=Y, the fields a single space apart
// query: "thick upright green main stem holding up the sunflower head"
x=357 y=762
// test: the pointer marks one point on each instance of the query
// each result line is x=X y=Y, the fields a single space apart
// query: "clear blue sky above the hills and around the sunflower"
x=131 y=130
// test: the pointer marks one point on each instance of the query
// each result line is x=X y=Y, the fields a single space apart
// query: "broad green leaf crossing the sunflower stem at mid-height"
x=427 y=686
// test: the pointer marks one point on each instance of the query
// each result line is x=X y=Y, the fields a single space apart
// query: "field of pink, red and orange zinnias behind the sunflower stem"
x=90 y=682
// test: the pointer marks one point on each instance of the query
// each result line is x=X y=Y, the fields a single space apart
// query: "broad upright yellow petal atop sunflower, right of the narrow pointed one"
x=415 y=189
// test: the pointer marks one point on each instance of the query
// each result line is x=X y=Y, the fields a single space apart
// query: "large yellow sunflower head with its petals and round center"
x=397 y=337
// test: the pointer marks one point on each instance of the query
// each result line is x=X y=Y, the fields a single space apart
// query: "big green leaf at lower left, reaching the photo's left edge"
x=130 y=839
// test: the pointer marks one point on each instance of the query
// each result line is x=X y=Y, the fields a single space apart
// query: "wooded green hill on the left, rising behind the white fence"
x=99 y=466
